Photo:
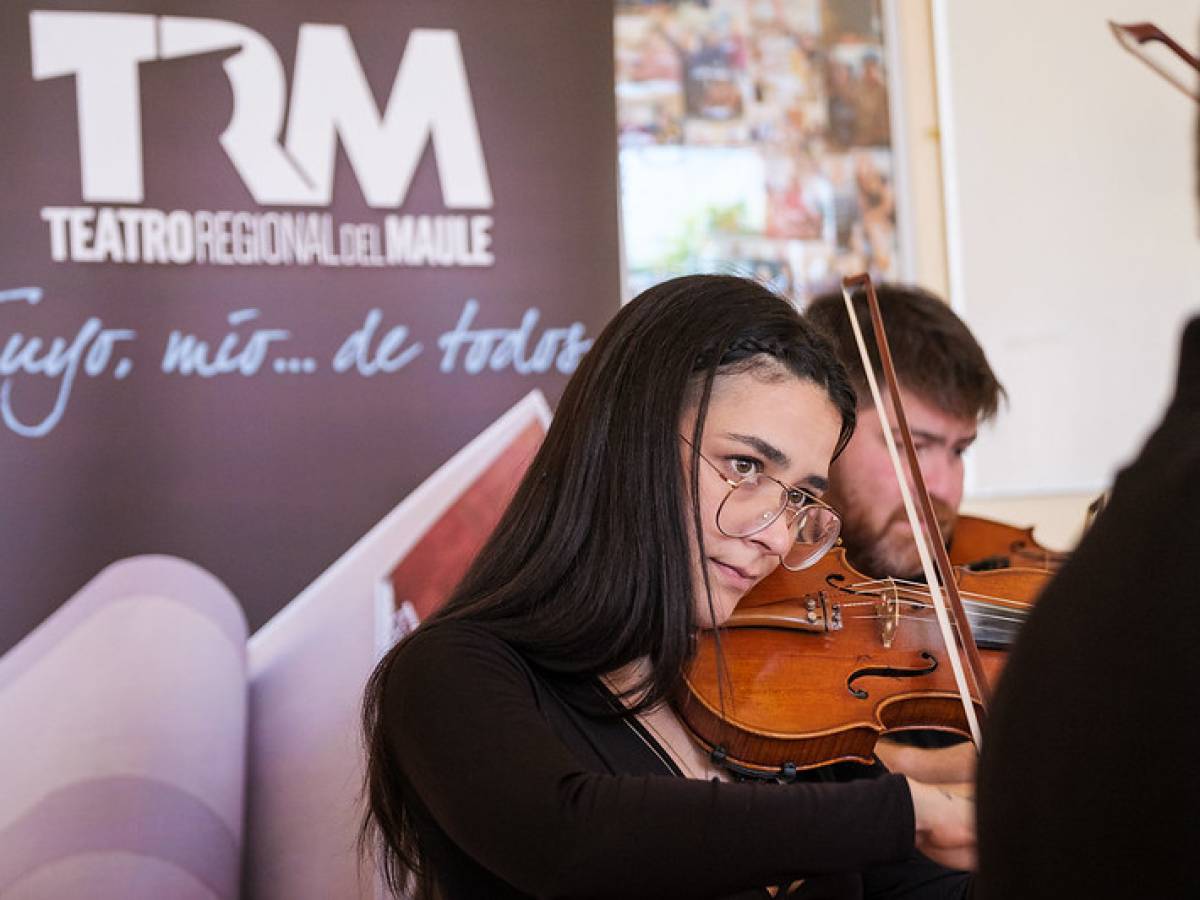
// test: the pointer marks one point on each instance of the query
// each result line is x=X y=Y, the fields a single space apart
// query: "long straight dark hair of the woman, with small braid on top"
x=591 y=567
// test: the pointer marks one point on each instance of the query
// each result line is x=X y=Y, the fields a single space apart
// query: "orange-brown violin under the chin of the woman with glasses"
x=813 y=667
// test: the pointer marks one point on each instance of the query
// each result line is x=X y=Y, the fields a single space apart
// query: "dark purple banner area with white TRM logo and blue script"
x=266 y=267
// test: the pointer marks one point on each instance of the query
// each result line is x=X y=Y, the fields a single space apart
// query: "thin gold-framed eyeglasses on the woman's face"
x=757 y=501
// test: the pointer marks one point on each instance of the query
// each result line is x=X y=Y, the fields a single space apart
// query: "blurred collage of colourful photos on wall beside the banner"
x=755 y=139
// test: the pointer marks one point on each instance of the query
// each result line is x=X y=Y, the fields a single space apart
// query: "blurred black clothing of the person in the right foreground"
x=1087 y=782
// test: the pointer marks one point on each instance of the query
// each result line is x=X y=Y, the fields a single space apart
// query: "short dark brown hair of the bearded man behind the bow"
x=935 y=355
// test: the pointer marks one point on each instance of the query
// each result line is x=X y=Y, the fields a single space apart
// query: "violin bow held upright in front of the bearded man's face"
x=931 y=536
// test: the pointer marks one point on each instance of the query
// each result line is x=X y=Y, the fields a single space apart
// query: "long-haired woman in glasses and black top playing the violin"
x=521 y=742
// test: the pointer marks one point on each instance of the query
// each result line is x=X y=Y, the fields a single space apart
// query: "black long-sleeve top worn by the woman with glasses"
x=523 y=790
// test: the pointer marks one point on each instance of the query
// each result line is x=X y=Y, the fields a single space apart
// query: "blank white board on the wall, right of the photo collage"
x=1072 y=229
